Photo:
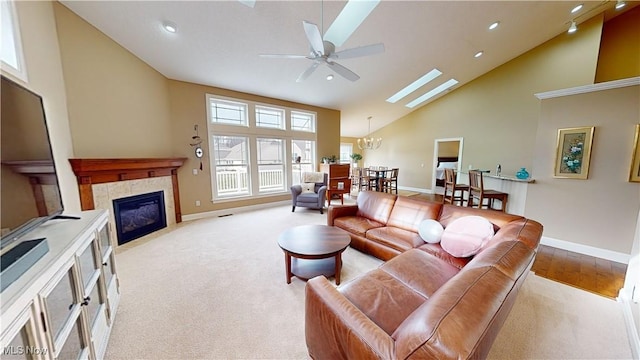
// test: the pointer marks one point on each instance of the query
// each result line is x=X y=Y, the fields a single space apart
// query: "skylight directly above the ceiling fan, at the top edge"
x=351 y=16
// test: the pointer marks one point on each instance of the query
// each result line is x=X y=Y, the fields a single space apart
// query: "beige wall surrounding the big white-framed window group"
x=188 y=108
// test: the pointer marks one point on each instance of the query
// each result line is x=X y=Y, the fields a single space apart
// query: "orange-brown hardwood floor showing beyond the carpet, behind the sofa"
x=599 y=276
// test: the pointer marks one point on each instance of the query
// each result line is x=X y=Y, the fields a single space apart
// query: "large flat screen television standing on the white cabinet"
x=30 y=192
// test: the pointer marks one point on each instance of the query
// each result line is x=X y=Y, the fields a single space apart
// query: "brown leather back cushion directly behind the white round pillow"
x=407 y=213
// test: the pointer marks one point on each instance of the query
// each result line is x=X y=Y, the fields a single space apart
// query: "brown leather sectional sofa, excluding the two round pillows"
x=423 y=303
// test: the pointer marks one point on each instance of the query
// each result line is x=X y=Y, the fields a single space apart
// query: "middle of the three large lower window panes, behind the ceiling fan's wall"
x=270 y=164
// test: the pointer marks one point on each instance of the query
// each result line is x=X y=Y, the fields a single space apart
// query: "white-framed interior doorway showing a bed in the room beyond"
x=447 y=152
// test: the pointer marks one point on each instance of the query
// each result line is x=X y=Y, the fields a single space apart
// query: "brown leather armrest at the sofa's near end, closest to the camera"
x=336 y=329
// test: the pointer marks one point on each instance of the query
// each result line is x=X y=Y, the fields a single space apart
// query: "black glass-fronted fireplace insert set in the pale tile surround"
x=139 y=215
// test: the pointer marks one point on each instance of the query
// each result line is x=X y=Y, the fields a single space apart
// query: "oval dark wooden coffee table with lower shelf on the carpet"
x=316 y=250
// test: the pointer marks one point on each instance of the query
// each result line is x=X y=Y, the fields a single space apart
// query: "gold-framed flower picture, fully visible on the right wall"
x=573 y=152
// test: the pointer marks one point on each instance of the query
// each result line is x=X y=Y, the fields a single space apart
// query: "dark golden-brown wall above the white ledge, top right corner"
x=620 y=48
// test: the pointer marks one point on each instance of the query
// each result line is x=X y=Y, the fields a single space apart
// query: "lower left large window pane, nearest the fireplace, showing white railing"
x=231 y=156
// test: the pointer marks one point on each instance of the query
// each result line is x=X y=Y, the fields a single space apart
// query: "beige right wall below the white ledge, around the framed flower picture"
x=601 y=211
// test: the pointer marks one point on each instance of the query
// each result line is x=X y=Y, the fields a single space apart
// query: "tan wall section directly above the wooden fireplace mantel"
x=118 y=105
